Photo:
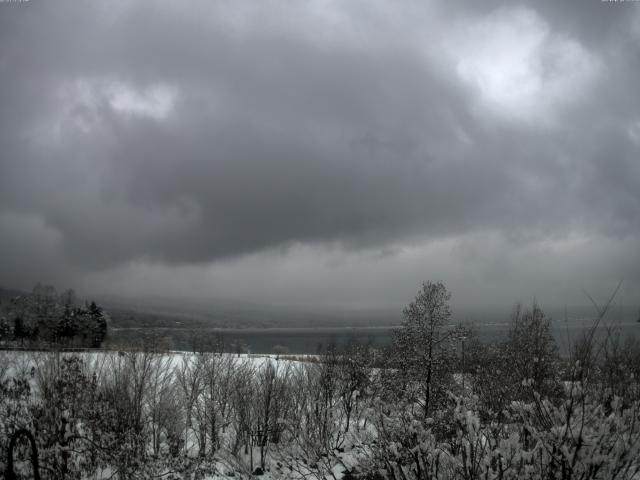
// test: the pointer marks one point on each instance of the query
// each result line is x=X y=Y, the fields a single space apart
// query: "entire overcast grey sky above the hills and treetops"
x=322 y=153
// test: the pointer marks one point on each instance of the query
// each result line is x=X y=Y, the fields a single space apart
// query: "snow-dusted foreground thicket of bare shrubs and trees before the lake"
x=436 y=403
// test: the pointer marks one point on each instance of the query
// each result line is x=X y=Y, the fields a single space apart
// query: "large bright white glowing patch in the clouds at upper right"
x=519 y=66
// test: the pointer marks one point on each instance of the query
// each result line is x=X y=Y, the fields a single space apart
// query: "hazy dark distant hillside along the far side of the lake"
x=197 y=313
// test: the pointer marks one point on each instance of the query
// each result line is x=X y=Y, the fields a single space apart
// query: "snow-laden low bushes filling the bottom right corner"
x=579 y=440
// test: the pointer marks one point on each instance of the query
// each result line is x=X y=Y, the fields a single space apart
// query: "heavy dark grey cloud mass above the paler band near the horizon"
x=186 y=136
